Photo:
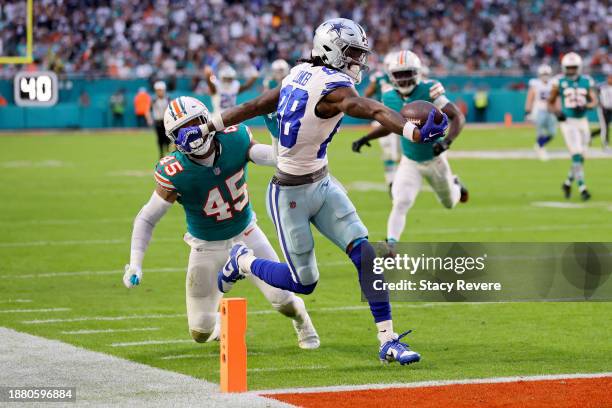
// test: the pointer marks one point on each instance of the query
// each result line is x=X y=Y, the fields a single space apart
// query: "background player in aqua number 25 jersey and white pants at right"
x=577 y=95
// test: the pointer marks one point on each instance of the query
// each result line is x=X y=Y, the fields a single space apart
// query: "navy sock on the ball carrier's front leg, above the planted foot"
x=362 y=254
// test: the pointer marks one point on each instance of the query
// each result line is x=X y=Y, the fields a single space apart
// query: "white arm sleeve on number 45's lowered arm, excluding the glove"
x=144 y=224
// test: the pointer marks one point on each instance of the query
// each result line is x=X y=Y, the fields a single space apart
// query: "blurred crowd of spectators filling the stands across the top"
x=127 y=38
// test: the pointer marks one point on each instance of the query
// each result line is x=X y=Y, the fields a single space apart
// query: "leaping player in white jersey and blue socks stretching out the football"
x=310 y=103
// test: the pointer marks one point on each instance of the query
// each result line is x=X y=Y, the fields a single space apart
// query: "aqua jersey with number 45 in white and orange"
x=215 y=199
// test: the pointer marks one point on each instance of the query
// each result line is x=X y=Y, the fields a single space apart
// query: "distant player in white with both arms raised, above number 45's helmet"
x=225 y=88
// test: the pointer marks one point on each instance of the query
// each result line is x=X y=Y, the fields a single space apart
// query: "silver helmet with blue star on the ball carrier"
x=342 y=44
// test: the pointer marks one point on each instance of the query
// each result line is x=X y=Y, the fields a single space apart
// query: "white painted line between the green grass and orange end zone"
x=493 y=380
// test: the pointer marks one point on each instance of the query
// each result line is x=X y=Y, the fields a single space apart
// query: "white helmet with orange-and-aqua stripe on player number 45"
x=187 y=110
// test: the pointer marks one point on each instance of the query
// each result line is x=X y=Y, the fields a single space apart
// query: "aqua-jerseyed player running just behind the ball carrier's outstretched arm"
x=418 y=160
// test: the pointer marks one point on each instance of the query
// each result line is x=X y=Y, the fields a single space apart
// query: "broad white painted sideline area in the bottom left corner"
x=103 y=380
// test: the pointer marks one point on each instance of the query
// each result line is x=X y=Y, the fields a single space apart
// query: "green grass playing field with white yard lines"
x=66 y=211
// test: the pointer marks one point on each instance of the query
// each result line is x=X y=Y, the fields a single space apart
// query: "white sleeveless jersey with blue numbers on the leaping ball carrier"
x=304 y=136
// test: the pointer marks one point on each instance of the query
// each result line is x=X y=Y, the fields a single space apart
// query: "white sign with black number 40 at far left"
x=35 y=88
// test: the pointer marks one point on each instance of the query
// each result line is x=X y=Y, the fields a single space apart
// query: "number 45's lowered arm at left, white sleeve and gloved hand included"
x=150 y=214
